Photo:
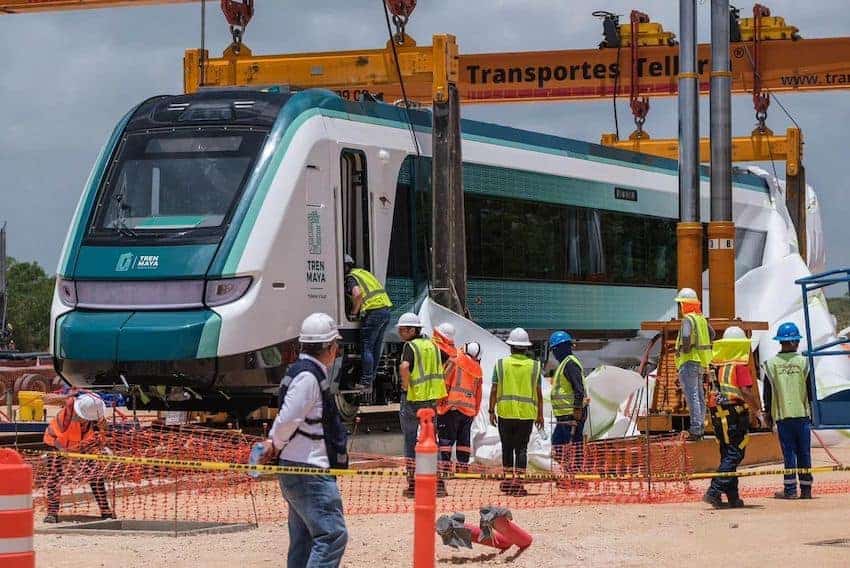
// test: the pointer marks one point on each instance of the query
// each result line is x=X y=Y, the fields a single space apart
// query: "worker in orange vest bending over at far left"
x=80 y=426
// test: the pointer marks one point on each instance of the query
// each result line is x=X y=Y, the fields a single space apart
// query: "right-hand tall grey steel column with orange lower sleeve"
x=721 y=229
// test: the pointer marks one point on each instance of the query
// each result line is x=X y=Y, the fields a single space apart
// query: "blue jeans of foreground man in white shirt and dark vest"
x=317 y=533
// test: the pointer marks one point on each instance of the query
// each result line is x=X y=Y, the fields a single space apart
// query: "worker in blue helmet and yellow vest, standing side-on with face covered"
x=569 y=402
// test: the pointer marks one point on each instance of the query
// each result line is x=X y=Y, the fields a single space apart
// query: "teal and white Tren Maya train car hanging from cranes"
x=213 y=223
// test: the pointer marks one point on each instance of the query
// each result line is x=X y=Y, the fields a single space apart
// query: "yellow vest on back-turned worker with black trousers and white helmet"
x=516 y=393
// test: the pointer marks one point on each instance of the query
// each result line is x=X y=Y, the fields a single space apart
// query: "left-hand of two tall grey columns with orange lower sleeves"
x=689 y=229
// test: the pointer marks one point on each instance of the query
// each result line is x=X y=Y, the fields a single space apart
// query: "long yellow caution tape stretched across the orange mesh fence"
x=199 y=465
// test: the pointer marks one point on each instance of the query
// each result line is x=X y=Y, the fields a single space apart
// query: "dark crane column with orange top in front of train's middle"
x=447 y=208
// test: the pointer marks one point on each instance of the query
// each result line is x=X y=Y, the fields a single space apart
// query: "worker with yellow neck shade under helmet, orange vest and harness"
x=733 y=408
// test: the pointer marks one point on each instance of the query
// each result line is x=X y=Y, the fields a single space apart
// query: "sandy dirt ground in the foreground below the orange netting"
x=766 y=532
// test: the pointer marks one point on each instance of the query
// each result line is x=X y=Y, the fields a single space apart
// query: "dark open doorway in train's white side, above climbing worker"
x=355 y=207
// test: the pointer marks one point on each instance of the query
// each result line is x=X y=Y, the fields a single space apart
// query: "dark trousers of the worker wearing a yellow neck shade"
x=731 y=426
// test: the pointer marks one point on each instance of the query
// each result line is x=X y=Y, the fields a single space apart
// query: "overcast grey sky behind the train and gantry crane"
x=68 y=77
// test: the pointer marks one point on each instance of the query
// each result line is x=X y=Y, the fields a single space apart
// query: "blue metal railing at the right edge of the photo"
x=833 y=411
